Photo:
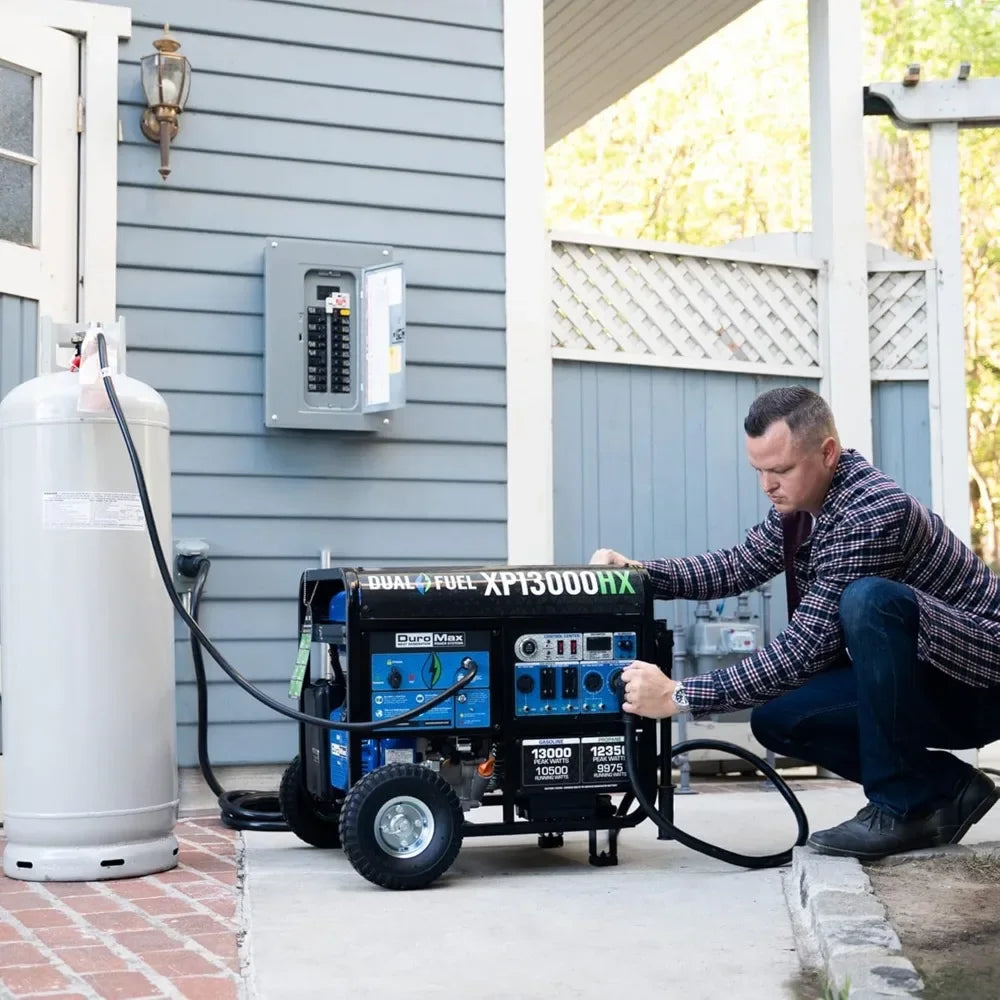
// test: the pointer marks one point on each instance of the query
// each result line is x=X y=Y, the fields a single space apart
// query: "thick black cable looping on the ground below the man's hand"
x=702 y=846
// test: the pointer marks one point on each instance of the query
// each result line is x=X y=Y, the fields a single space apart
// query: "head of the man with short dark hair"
x=792 y=443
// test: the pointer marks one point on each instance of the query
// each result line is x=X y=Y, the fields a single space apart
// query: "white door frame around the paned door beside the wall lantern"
x=100 y=27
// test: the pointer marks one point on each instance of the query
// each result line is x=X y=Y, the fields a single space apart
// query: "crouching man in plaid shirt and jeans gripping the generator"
x=892 y=645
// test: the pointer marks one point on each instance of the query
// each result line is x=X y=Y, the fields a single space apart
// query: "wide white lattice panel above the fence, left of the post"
x=681 y=306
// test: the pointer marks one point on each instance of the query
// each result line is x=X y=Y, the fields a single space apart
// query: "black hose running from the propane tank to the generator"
x=468 y=664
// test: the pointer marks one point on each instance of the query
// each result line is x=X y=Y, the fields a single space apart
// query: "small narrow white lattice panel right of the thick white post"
x=898 y=318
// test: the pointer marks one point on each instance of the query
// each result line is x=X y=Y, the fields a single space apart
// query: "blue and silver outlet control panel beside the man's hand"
x=570 y=673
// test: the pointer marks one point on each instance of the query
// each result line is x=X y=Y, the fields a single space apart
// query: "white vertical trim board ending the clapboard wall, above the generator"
x=528 y=274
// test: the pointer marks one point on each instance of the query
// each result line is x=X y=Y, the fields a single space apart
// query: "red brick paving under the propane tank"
x=170 y=936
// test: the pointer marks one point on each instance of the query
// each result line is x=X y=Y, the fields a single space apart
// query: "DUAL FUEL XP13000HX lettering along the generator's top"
x=505 y=583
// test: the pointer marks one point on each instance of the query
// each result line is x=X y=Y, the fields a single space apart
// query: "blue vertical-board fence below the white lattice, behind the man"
x=651 y=462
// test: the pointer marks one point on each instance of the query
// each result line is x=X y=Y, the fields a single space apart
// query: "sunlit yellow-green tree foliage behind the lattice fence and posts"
x=716 y=147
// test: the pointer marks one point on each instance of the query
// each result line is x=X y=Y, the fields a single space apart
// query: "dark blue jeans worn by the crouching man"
x=872 y=718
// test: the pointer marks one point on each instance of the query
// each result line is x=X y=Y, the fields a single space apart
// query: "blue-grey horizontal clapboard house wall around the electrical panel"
x=374 y=121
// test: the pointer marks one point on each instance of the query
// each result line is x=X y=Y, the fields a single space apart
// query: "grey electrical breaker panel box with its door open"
x=334 y=335
